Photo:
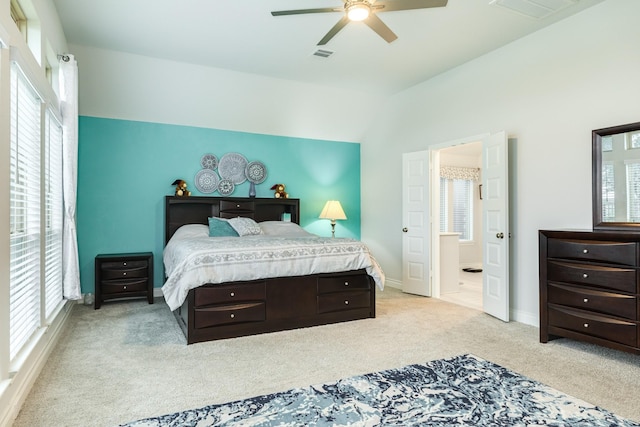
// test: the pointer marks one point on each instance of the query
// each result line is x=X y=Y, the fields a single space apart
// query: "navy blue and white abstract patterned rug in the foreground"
x=459 y=391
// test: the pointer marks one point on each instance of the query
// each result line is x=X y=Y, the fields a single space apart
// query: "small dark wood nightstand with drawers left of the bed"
x=123 y=276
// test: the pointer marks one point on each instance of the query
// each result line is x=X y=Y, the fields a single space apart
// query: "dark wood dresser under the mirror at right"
x=589 y=287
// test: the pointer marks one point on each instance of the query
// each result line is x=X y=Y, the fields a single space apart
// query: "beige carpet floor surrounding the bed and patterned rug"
x=129 y=360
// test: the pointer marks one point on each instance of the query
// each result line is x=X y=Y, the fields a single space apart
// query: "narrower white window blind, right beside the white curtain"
x=53 y=214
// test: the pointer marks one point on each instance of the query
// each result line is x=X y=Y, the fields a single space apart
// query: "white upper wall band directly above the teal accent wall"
x=132 y=87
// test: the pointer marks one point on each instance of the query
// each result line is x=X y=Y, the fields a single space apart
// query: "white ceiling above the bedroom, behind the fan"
x=241 y=35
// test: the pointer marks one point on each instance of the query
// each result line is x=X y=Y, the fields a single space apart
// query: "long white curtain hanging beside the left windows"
x=69 y=112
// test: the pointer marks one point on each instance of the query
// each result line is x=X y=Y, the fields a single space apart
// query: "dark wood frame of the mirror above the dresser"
x=596 y=183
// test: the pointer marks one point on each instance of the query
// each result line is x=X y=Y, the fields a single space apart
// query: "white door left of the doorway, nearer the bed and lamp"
x=415 y=223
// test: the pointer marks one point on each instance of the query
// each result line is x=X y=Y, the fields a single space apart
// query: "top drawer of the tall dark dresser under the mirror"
x=624 y=253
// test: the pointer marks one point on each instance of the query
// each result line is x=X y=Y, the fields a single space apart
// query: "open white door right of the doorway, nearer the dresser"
x=495 y=217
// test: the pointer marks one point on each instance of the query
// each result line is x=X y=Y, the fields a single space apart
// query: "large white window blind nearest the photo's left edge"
x=24 y=200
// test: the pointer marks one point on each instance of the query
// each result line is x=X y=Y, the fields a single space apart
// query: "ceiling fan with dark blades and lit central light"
x=365 y=10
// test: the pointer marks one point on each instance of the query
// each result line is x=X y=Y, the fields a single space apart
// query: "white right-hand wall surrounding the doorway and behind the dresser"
x=548 y=91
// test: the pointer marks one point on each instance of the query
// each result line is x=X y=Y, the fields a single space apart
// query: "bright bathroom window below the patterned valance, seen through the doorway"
x=456 y=205
